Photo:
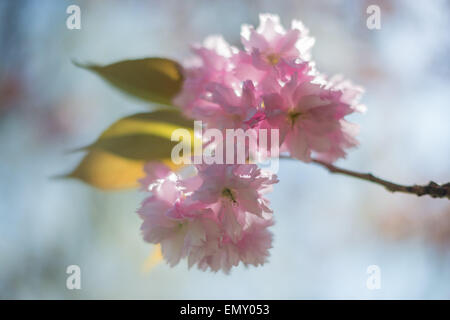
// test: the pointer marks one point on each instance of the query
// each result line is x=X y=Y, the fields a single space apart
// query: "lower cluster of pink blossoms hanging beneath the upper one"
x=216 y=218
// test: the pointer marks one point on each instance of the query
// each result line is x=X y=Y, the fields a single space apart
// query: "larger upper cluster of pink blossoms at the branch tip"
x=273 y=84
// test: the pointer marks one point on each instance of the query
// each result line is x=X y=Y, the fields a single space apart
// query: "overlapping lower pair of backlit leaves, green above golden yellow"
x=116 y=159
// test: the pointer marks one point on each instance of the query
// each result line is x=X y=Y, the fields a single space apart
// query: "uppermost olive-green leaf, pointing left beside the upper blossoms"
x=151 y=79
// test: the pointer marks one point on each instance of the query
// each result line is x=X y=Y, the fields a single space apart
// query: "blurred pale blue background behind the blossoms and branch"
x=329 y=228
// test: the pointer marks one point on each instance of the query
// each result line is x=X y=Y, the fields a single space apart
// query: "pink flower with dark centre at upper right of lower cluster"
x=232 y=191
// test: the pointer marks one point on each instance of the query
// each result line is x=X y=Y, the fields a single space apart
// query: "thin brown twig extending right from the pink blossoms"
x=432 y=189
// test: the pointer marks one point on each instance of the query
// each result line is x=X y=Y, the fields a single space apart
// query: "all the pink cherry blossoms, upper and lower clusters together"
x=218 y=217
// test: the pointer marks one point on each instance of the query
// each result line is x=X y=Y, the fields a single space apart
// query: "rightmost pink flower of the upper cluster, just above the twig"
x=310 y=118
